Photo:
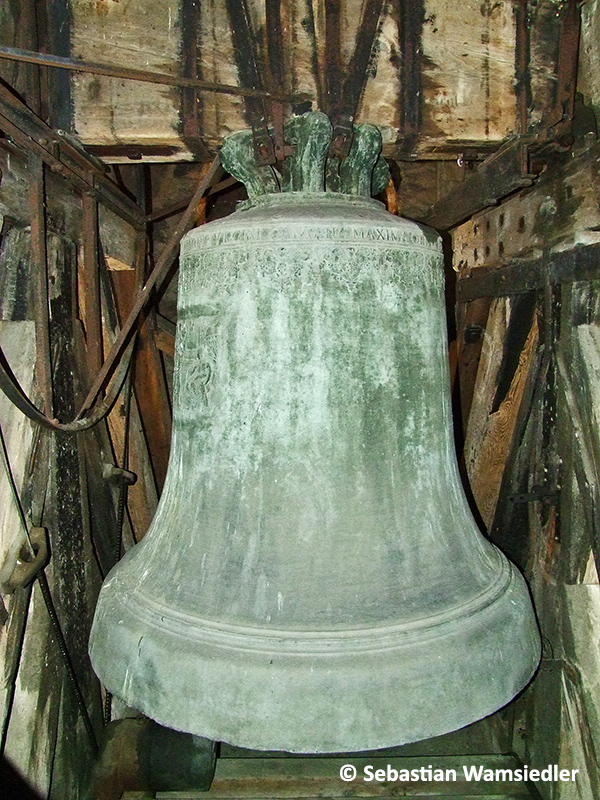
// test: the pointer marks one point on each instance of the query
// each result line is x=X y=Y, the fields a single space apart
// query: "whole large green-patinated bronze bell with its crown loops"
x=313 y=580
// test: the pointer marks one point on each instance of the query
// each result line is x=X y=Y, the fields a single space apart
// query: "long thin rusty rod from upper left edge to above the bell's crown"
x=60 y=62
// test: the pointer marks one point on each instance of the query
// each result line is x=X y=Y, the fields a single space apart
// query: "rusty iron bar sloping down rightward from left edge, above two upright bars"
x=35 y=136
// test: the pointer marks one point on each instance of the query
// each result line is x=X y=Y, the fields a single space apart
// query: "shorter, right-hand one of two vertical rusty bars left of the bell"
x=91 y=283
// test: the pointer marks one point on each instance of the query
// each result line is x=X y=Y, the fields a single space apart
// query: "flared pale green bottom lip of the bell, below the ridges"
x=408 y=695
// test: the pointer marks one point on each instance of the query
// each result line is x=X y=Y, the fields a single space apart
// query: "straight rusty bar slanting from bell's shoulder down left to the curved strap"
x=155 y=281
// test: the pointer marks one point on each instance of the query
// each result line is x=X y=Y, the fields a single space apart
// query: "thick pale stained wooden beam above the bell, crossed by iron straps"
x=456 y=71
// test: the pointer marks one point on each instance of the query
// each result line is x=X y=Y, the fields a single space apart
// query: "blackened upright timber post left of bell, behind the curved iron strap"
x=72 y=576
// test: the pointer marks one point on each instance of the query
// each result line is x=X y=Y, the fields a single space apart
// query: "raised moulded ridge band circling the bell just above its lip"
x=310 y=642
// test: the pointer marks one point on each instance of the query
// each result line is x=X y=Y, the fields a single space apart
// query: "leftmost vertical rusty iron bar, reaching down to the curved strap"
x=39 y=256
